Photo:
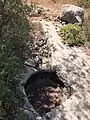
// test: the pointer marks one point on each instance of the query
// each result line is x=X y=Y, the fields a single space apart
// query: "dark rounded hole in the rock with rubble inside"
x=45 y=91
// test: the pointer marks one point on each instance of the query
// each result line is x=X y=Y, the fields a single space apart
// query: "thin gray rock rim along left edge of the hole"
x=27 y=108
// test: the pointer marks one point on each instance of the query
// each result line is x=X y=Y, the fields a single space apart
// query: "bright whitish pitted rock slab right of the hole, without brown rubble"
x=73 y=65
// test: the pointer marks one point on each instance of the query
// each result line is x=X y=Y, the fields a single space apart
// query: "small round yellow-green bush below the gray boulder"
x=73 y=35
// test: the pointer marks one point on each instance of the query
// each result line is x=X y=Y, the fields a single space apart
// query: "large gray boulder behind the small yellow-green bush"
x=72 y=14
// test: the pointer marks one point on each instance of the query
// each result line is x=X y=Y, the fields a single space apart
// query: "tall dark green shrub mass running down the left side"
x=14 y=33
